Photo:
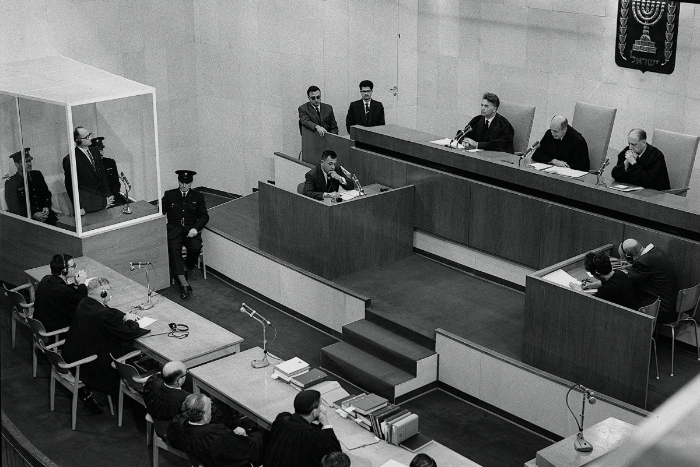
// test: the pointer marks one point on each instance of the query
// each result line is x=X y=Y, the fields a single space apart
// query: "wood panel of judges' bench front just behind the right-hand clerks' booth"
x=567 y=232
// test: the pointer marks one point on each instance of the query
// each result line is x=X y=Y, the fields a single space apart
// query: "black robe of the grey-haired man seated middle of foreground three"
x=214 y=444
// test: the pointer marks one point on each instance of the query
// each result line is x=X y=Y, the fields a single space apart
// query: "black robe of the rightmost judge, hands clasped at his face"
x=649 y=171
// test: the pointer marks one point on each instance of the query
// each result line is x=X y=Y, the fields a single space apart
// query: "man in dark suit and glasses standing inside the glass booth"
x=93 y=186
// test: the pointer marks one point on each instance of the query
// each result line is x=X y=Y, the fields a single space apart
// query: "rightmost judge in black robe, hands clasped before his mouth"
x=641 y=163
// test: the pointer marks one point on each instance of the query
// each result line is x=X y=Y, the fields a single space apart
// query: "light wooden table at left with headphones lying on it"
x=206 y=341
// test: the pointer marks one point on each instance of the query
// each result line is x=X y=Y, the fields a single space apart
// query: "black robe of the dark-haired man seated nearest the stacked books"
x=294 y=442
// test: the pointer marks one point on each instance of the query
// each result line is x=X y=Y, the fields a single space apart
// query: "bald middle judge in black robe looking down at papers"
x=563 y=146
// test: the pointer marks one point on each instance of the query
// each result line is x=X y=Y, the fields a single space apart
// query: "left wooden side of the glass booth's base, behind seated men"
x=26 y=244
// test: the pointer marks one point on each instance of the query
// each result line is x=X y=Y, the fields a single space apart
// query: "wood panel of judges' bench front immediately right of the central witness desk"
x=443 y=203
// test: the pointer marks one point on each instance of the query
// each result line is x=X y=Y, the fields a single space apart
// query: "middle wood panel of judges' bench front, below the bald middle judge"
x=505 y=224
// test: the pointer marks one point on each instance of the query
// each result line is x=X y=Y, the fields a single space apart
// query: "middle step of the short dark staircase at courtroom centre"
x=386 y=345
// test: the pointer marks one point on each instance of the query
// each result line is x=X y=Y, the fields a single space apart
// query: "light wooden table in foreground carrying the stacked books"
x=252 y=391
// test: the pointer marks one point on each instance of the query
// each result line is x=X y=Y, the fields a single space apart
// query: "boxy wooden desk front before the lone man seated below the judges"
x=335 y=239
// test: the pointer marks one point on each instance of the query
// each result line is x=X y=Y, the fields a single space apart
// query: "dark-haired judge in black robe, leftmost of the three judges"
x=490 y=130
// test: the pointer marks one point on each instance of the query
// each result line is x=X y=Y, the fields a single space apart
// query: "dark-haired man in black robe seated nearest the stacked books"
x=301 y=439
